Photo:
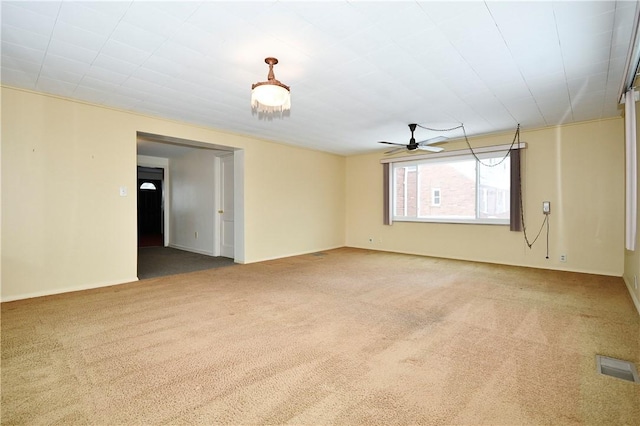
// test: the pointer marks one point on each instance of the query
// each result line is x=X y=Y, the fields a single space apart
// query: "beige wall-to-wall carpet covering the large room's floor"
x=345 y=337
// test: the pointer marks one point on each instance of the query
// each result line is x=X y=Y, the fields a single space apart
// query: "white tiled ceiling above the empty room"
x=359 y=71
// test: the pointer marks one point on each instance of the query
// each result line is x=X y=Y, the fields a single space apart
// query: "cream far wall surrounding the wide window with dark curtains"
x=579 y=168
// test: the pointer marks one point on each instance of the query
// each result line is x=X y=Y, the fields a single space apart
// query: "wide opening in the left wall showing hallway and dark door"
x=197 y=204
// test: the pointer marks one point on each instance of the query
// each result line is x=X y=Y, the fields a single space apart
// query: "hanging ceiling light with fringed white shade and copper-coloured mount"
x=270 y=96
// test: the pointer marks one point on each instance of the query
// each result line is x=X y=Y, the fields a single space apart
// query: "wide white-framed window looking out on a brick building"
x=452 y=189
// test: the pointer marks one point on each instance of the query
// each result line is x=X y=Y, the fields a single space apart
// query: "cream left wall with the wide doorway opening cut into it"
x=65 y=227
